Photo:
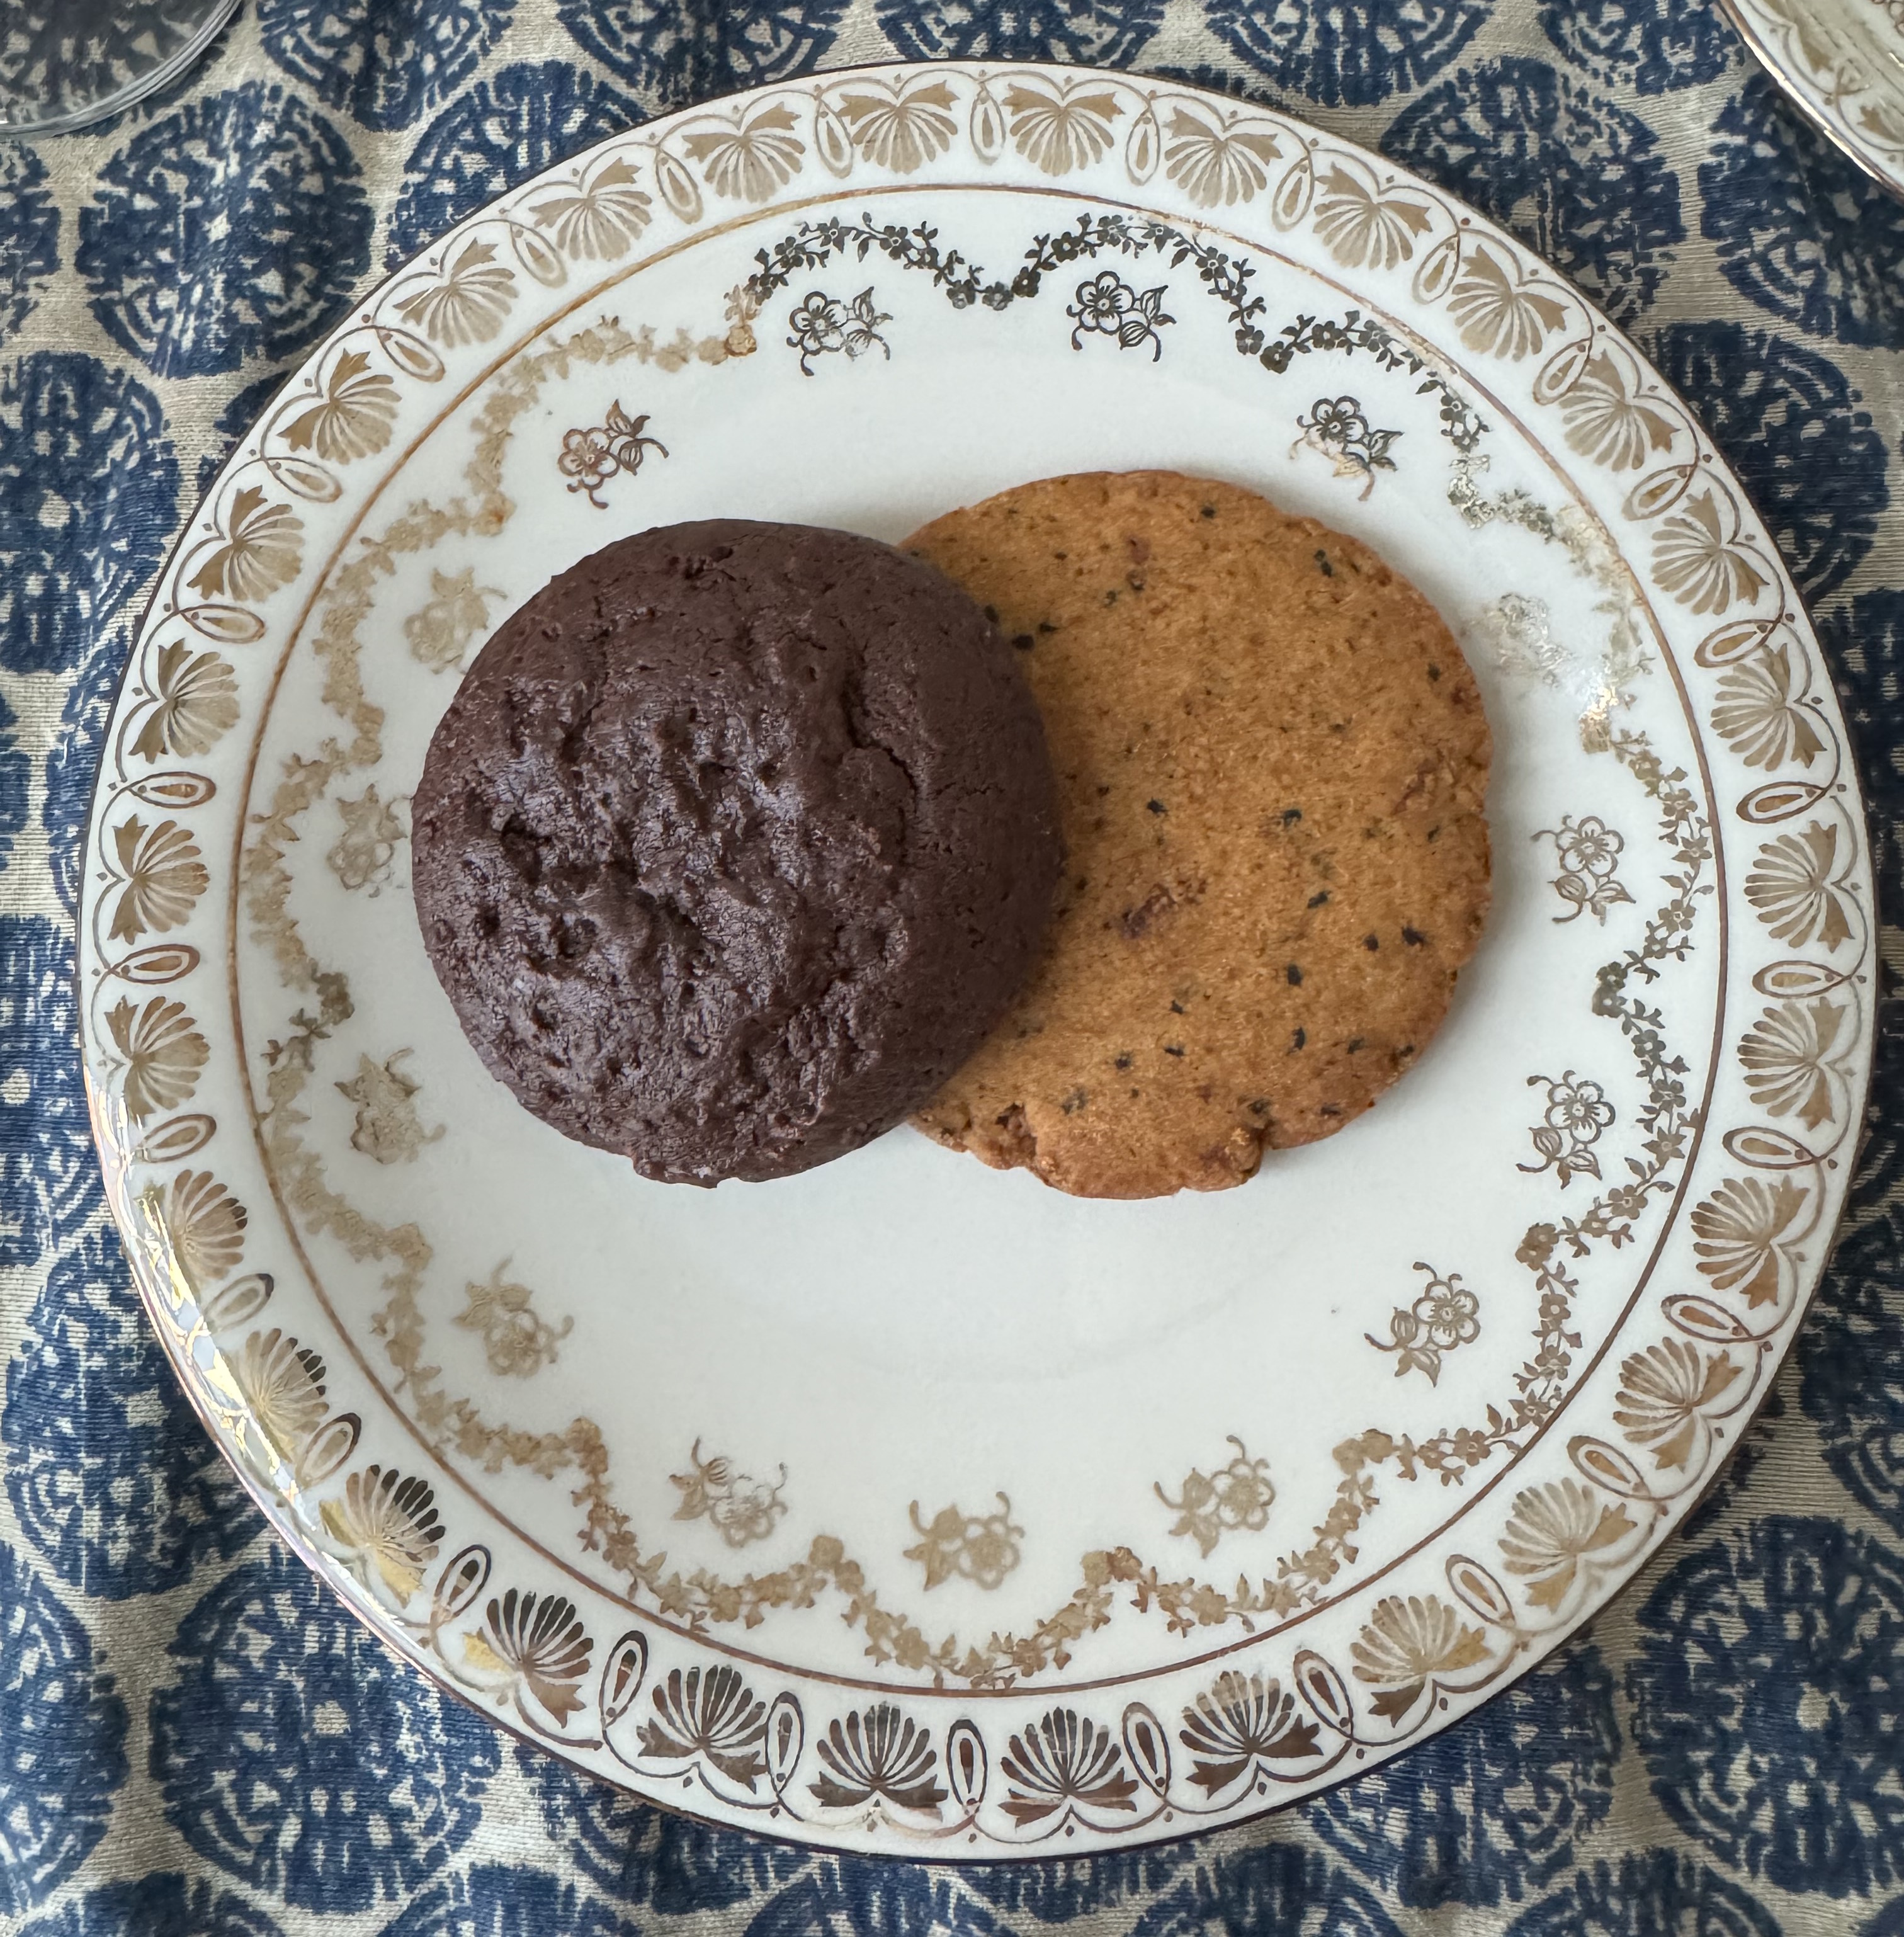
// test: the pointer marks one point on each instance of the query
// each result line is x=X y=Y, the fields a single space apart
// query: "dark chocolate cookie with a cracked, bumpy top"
x=735 y=844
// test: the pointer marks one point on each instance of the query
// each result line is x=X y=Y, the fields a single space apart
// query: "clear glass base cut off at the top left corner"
x=69 y=63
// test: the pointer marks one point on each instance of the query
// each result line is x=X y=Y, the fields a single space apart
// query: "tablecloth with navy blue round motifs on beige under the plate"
x=195 y=1742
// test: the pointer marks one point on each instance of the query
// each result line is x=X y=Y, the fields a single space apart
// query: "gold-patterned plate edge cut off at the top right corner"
x=1843 y=65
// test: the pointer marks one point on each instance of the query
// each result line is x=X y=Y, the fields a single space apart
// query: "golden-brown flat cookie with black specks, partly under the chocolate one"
x=1272 y=762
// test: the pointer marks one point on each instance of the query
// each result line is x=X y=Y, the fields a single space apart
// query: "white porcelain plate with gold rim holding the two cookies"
x=907 y=1506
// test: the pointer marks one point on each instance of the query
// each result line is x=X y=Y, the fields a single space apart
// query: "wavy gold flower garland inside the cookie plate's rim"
x=704 y=1599
